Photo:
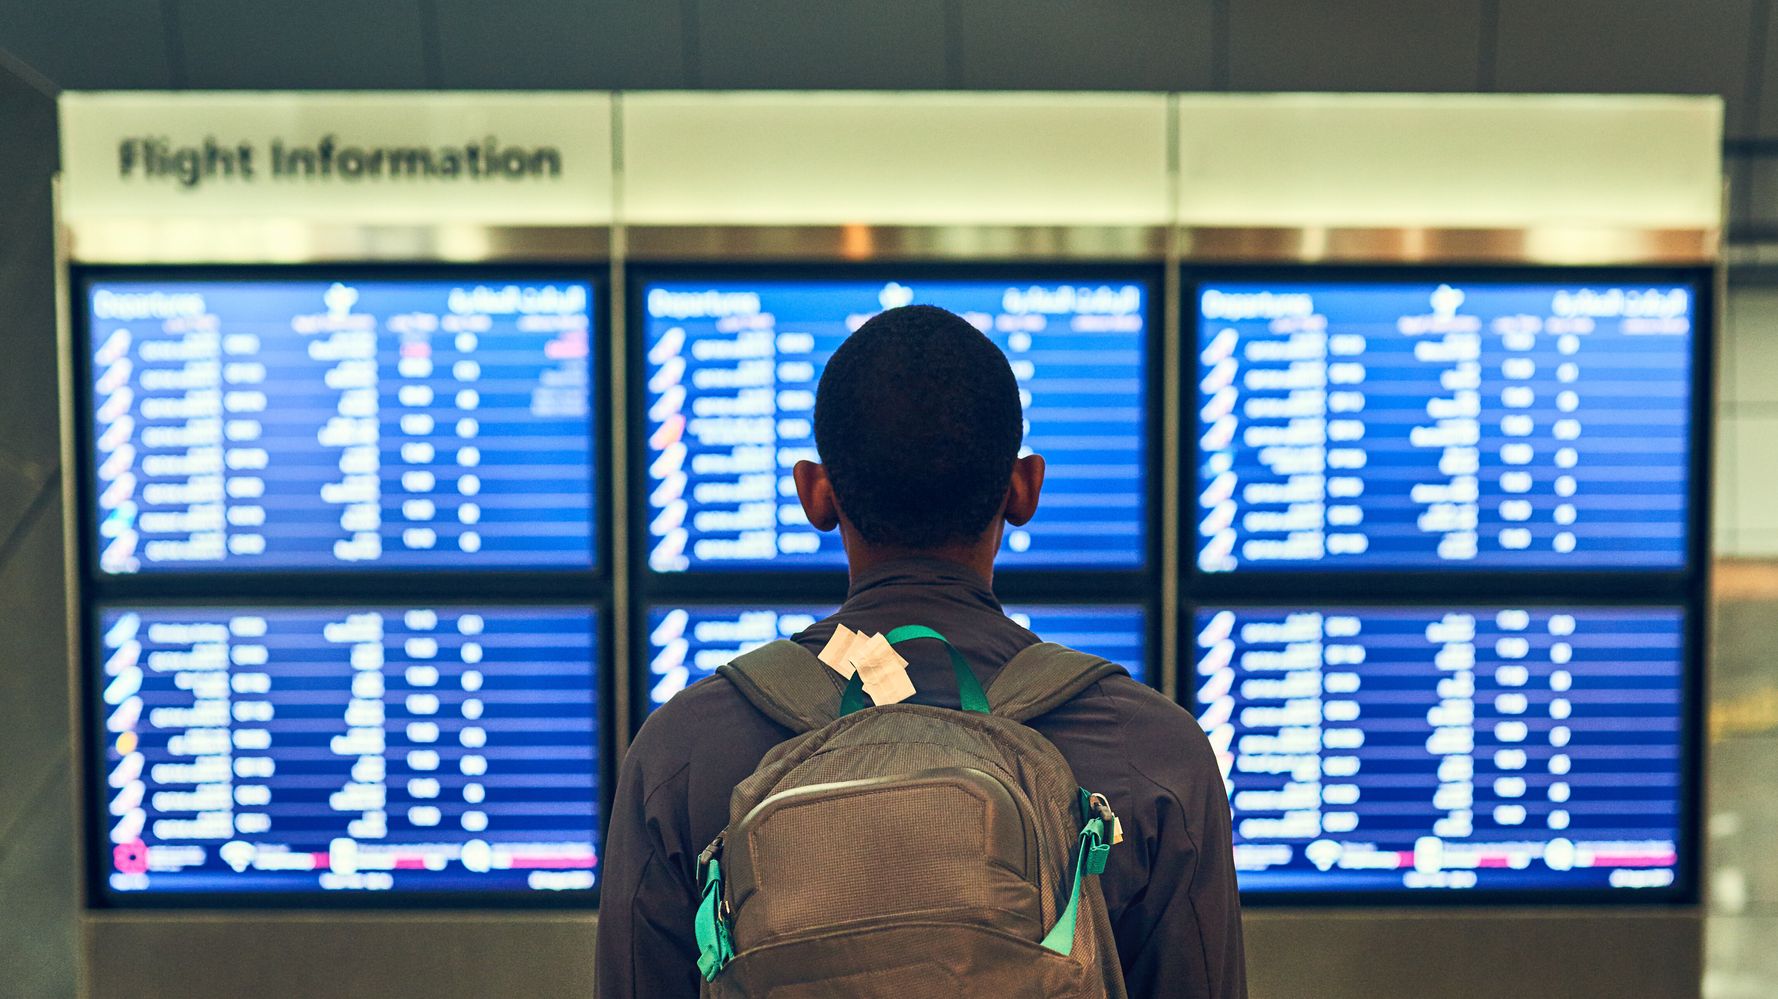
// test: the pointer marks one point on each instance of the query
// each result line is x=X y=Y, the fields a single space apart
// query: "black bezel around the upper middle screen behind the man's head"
x=1110 y=586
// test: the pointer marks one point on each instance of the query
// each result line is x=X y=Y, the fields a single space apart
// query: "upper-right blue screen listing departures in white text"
x=1443 y=426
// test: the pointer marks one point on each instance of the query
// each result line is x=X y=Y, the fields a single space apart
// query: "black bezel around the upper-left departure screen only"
x=371 y=580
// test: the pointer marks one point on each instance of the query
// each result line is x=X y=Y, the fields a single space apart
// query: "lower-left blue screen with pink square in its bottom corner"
x=284 y=751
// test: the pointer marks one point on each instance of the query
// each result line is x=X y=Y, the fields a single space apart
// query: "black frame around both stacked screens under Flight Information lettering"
x=589 y=589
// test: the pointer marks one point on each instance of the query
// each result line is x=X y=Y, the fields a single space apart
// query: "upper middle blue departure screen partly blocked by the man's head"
x=730 y=392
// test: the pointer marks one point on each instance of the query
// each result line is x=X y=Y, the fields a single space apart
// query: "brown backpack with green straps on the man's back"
x=908 y=851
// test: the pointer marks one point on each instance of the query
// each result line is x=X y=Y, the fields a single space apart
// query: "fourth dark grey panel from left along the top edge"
x=829 y=45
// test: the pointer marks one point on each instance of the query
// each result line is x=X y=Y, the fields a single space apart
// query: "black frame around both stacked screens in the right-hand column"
x=1390 y=589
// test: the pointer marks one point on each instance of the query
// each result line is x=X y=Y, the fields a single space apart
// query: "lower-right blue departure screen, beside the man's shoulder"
x=1430 y=749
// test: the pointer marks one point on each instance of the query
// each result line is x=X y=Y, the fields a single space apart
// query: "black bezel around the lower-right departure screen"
x=1685 y=888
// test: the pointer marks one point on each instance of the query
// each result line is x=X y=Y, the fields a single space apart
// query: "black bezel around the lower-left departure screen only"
x=100 y=895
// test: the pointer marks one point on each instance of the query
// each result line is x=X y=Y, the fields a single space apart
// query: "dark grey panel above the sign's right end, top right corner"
x=1626 y=47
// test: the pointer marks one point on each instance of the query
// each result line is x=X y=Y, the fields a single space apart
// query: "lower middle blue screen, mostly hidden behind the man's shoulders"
x=687 y=644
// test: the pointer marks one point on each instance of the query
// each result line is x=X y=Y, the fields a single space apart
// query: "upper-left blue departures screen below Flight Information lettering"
x=342 y=424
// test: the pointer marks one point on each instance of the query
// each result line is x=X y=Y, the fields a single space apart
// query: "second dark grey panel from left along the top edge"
x=317 y=45
